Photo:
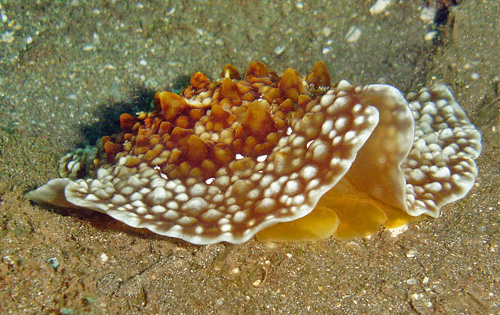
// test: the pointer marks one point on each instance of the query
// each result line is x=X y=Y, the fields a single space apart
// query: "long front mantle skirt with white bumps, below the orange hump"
x=239 y=202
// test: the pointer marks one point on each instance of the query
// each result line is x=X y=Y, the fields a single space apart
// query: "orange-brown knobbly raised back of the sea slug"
x=210 y=123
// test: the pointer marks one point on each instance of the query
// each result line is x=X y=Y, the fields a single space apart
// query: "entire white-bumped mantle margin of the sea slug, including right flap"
x=314 y=152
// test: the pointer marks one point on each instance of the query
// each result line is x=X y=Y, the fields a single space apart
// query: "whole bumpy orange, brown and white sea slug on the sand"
x=283 y=158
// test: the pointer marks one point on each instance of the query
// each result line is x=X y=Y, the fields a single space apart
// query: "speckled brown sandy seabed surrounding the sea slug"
x=69 y=70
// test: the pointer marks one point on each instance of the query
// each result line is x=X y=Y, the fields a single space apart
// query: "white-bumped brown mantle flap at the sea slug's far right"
x=440 y=167
